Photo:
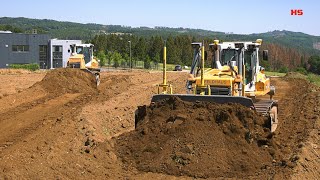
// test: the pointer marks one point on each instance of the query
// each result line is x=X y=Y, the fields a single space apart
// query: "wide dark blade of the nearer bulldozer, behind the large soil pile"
x=220 y=99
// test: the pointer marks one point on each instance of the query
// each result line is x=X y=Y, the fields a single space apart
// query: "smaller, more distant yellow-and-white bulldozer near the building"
x=82 y=58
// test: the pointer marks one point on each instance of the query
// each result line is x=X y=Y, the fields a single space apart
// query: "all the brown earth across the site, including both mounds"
x=58 y=124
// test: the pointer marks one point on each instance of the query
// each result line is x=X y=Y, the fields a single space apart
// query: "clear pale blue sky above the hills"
x=236 y=16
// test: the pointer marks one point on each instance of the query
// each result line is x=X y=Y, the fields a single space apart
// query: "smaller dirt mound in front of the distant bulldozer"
x=65 y=80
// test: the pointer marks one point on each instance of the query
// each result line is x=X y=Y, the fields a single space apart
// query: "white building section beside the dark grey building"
x=60 y=52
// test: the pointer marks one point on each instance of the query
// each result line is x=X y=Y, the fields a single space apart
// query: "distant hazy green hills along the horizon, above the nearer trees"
x=70 y=30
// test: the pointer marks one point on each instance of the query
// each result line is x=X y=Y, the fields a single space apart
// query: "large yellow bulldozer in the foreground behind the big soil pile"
x=234 y=76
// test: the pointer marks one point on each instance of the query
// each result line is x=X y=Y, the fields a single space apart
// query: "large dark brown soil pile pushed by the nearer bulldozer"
x=198 y=139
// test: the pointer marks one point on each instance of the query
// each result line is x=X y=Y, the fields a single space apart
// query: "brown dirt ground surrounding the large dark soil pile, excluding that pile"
x=64 y=129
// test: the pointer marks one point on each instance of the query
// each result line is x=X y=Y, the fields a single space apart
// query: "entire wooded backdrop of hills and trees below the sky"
x=288 y=50
